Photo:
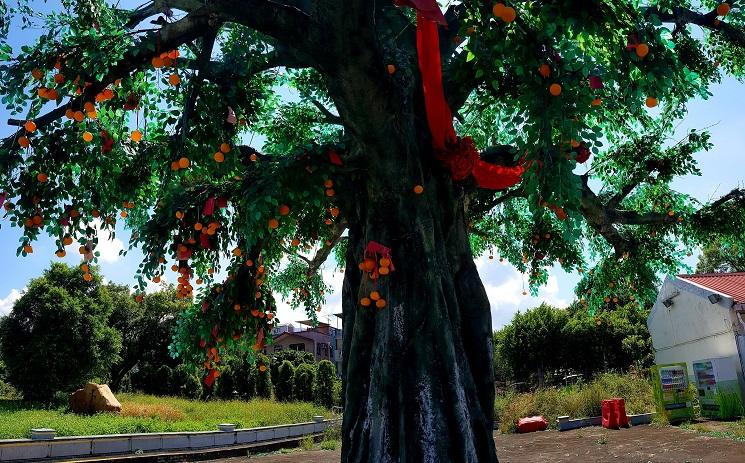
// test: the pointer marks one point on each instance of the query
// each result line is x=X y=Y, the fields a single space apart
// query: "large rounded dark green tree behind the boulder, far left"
x=56 y=337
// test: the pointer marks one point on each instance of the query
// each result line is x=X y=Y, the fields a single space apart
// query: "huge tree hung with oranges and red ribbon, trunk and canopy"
x=149 y=124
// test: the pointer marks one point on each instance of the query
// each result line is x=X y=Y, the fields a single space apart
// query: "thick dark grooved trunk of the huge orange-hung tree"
x=418 y=381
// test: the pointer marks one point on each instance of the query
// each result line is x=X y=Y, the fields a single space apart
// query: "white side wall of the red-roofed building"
x=692 y=328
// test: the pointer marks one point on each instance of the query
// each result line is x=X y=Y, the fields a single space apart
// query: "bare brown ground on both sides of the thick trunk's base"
x=642 y=444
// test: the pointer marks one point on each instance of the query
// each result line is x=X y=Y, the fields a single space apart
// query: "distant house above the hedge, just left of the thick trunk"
x=321 y=340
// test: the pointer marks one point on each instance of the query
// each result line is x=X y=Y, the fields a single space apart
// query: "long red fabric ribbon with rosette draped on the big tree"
x=459 y=155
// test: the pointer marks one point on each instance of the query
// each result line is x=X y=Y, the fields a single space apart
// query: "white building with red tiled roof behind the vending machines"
x=700 y=316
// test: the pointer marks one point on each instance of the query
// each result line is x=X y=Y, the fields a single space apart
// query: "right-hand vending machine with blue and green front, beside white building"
x=717 y=387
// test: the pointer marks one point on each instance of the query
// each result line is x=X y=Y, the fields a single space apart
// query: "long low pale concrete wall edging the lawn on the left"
x=122 y=444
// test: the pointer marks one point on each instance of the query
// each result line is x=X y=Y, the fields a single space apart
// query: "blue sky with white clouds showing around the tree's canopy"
x=722 y=170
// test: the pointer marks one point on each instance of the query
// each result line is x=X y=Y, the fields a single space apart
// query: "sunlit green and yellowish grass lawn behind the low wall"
x=144 y=413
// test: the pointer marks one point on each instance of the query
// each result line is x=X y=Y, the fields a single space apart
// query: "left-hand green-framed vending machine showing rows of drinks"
x=671 y=393
